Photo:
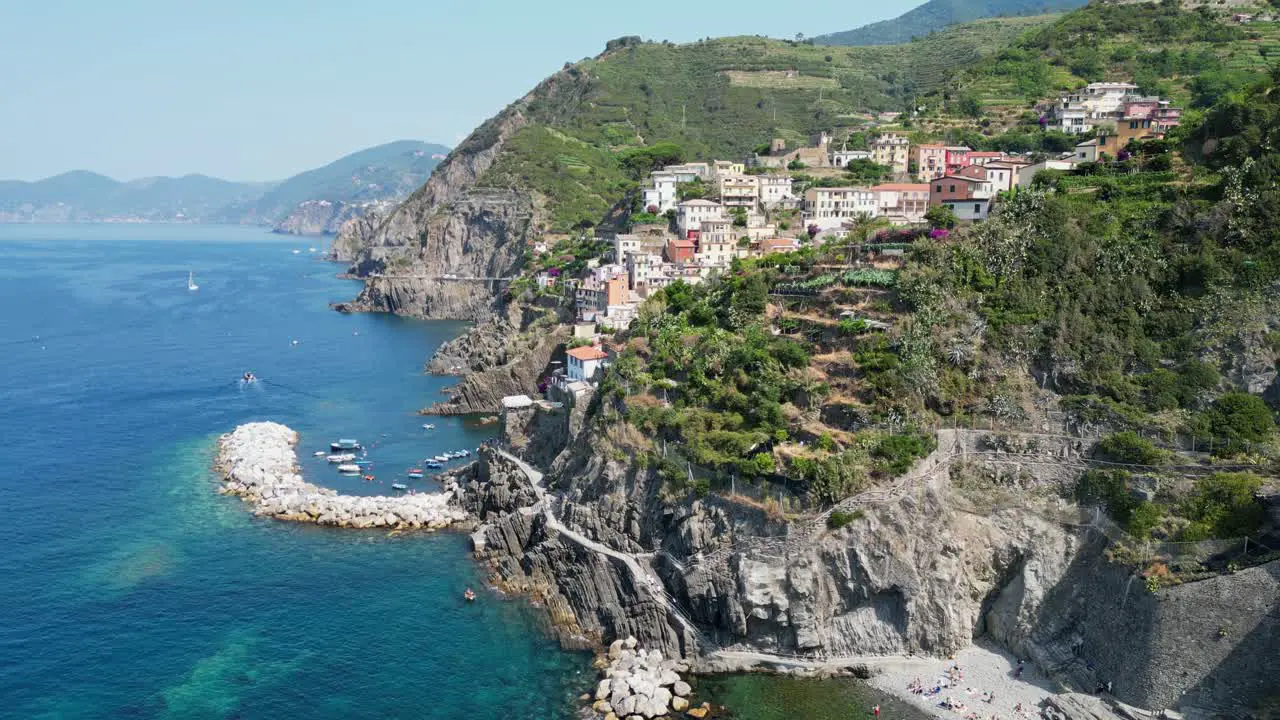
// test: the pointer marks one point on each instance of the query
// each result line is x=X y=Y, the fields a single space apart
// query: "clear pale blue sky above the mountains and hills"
x=259 y=90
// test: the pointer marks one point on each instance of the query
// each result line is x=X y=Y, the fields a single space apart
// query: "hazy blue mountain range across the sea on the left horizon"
x=319 y=198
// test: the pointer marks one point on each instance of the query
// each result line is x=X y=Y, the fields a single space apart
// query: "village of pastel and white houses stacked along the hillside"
x=697 y=218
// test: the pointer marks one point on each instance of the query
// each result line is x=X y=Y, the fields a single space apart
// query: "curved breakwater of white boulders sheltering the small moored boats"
x=259 y=464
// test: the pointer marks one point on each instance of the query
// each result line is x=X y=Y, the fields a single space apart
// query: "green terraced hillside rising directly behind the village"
x=719 y=98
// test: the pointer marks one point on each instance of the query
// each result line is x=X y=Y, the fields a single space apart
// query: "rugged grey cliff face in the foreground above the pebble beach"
x=959 y=550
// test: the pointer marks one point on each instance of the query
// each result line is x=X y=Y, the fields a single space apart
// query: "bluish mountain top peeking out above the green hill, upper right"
x=938 y=15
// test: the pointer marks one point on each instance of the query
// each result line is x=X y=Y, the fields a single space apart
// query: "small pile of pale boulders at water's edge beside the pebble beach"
x=641 y=685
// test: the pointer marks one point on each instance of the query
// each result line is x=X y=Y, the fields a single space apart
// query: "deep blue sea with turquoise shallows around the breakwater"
x=129 y=589
